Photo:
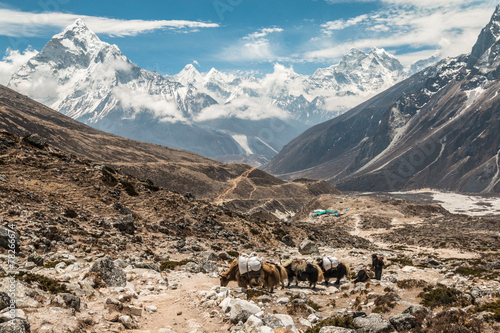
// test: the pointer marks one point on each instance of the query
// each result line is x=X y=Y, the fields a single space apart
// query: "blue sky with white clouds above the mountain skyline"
x=248 y=36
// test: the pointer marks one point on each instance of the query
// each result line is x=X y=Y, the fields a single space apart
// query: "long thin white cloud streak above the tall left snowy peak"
x=16 y=23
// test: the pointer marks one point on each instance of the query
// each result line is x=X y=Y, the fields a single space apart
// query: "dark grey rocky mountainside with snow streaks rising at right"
x=436 y=129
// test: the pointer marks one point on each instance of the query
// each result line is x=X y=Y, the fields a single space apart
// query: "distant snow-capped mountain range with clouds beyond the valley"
x=217 y=115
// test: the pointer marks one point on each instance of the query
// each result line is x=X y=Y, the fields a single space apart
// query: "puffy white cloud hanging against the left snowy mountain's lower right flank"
x=140 y=101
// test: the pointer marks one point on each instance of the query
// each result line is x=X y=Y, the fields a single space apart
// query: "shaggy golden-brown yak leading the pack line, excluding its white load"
x=269 y=277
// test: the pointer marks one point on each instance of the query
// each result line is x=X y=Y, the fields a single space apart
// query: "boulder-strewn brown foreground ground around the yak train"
x=99 y=251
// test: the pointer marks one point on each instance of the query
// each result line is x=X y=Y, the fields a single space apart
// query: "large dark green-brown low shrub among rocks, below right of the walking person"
x=442 y=296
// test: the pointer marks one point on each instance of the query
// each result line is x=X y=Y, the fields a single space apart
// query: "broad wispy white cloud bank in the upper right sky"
x=449 y=27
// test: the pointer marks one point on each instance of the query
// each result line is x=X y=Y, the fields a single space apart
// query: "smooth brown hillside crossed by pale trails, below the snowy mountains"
x=239 y=186
